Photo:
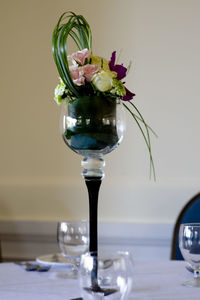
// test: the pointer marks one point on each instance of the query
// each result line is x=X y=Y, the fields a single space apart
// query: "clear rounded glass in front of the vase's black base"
x=106 y=275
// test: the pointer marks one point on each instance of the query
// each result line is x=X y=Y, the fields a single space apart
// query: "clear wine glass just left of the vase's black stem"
x=73 y=240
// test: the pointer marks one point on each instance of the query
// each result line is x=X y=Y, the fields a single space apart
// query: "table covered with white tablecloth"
x=155 y=280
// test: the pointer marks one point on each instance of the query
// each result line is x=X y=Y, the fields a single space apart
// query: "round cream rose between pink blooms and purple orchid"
x=103 y=80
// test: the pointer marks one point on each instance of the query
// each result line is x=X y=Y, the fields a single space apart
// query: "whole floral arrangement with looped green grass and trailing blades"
x=83 y=74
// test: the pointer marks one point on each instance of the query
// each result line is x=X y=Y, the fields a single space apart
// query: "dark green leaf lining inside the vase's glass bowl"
x=94 y=123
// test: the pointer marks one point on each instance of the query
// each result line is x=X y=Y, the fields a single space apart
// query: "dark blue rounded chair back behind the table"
x=189 y=214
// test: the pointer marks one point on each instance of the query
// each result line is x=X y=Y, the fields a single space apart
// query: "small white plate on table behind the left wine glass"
x=53 y=260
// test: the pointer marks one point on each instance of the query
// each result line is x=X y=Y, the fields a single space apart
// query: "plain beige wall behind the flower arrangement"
x=39 y=177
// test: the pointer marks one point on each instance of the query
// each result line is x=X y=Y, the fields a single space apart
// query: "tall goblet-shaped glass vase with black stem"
x=93 y=126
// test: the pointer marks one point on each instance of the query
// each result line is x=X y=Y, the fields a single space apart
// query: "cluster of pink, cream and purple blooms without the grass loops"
x=94 y=75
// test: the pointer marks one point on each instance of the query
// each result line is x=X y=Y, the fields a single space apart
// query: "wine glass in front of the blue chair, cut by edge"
x=189 y=243
